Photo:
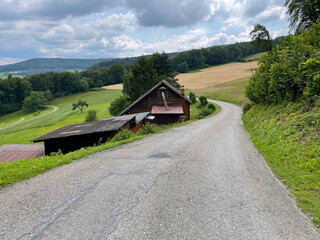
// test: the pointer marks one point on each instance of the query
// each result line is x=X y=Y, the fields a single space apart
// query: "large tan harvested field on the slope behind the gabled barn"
x=210 y=77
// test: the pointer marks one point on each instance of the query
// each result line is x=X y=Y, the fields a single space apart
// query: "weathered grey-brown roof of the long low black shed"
x=103 y=125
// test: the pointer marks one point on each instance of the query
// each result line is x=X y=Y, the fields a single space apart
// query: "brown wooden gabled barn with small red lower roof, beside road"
x=166 y=103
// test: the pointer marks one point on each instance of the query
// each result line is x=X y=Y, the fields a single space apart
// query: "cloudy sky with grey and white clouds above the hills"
x=123 y=28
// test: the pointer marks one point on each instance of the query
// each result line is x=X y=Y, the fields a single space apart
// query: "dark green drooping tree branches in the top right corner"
x=302 y=13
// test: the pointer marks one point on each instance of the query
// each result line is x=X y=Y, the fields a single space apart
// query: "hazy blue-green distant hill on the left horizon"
x=42 y=65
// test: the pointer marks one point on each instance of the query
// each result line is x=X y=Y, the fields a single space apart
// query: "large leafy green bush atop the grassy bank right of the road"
x=289 y=72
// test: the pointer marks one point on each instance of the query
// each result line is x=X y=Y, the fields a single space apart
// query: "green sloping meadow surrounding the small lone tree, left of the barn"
x=23 y=133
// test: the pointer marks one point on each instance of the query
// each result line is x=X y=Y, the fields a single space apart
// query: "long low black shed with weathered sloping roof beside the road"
x=73 y=137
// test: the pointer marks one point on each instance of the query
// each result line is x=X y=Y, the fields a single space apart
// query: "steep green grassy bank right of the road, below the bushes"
x=288 y=138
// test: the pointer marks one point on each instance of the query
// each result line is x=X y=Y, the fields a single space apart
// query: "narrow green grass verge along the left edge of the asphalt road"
x=17 y=171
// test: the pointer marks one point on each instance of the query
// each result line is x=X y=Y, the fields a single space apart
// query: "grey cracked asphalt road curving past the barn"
x=204 y=180
